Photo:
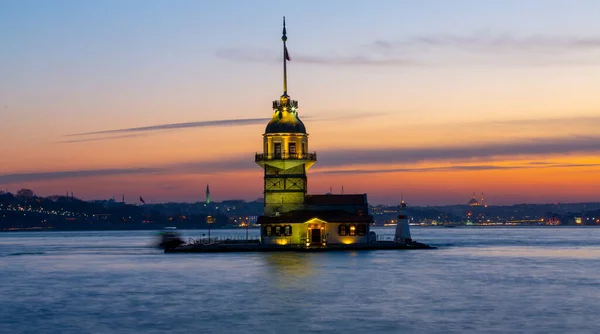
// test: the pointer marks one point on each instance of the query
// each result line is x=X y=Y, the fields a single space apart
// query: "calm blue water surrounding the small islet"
x=492 y=280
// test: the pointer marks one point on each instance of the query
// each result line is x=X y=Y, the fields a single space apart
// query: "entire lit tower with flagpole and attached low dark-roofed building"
x=291 y=217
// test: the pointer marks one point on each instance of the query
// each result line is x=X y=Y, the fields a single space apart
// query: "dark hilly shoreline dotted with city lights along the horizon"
x=26 y=211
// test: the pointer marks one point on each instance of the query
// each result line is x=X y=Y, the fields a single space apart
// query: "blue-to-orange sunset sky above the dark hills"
x=431 y=99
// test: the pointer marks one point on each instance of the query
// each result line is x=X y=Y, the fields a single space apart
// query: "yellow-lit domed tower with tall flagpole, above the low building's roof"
x=285 y=158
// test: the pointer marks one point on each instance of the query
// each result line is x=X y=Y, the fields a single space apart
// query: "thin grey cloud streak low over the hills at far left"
x=54 y=175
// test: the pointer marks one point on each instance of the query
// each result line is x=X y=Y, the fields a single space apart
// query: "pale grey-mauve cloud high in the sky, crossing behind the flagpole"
x=425 y=51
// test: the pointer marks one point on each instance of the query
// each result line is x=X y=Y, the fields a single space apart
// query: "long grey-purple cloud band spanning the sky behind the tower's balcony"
x=342 y=161
